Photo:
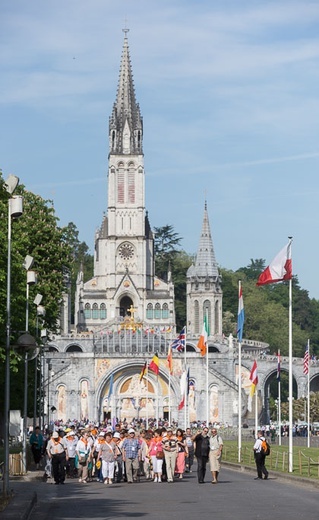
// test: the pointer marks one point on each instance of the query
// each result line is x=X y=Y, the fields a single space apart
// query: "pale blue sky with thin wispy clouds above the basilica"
x=229 y=93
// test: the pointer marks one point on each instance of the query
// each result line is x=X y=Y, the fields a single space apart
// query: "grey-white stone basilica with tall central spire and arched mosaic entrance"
x=98 y=367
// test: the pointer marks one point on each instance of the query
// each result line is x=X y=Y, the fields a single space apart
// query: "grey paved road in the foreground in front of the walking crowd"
x=237 y=496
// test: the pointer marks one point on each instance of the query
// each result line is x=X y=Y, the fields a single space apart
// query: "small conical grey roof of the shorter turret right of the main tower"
x=205 y=264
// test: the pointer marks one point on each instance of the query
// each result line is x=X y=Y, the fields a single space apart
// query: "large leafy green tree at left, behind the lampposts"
x=35 y=233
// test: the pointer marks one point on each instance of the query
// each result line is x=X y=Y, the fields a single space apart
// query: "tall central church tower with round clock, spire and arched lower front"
x=124 y=275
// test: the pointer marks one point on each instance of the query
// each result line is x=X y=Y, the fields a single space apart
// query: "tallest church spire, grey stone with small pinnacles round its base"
x=126 y=123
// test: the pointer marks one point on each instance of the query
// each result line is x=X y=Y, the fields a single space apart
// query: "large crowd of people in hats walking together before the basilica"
x=95 y=453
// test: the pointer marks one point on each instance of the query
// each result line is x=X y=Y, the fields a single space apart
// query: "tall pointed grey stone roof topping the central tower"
x=126 y=111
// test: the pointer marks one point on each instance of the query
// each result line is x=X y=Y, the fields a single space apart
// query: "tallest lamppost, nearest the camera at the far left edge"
x=15 y=210
